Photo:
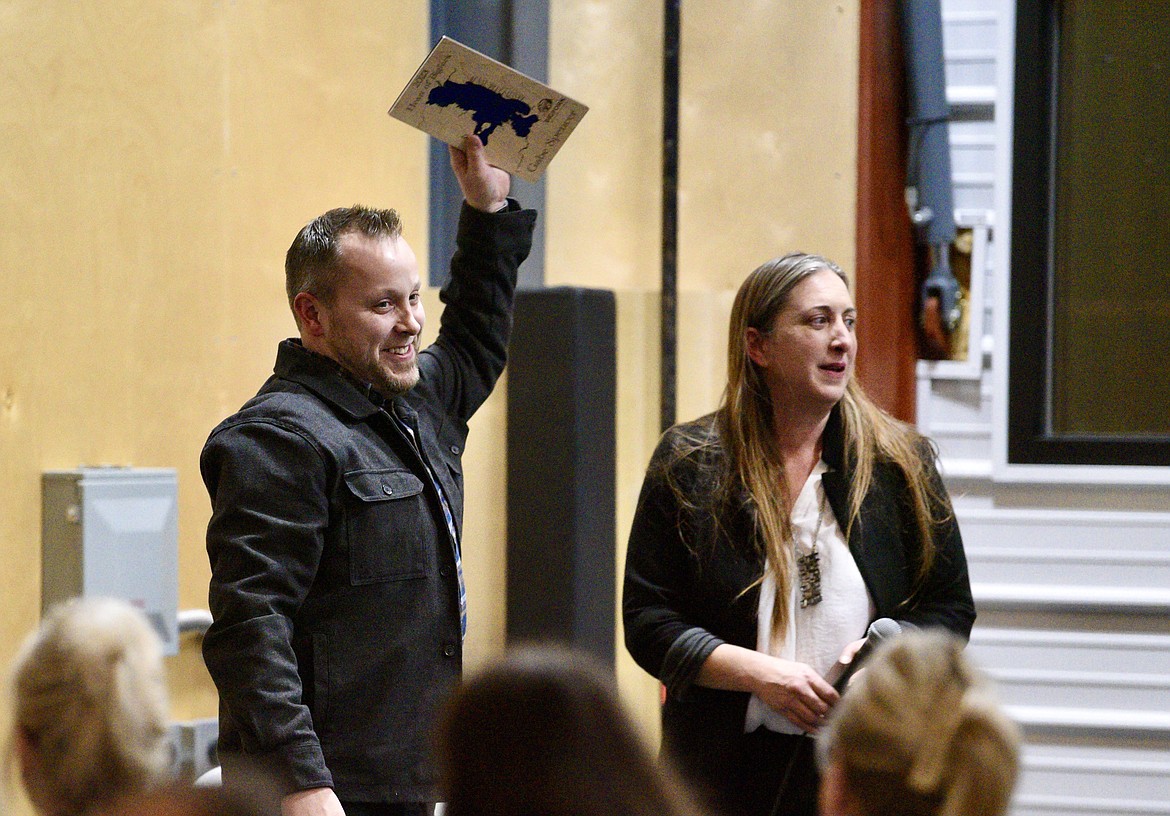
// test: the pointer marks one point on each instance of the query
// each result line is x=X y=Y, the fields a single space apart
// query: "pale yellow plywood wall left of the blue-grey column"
x=156 y=161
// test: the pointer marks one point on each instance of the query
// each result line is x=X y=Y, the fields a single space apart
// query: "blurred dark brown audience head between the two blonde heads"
x=542 y=733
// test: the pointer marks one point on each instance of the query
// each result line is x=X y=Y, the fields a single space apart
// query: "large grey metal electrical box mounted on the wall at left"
x=114 y=532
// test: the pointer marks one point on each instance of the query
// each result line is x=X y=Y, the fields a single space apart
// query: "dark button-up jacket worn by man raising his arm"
x=334 y=589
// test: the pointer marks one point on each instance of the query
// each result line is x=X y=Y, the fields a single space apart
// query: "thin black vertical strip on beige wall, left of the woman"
x=670 y=307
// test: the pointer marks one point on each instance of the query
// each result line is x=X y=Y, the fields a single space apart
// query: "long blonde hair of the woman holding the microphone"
x=753 y=468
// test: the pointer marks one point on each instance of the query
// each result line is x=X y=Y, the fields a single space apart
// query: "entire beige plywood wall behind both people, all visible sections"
x=156 y=160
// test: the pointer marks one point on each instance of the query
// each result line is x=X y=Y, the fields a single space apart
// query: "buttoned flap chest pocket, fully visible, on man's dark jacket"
x=387 y=525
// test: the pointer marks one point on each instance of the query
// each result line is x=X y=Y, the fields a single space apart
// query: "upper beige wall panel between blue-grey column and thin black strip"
x=604 y=188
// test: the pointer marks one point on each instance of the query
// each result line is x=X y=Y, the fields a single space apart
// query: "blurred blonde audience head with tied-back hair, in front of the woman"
x=919 y=733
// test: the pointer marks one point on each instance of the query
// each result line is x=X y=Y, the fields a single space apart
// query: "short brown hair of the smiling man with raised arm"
x=312 y=263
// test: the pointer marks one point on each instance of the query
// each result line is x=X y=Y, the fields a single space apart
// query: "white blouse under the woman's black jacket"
x=818 y=633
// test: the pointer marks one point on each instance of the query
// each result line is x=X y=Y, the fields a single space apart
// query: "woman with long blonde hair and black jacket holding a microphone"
x=770 y=534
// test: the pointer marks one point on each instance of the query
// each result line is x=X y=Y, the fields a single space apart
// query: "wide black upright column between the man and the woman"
x=562 y=483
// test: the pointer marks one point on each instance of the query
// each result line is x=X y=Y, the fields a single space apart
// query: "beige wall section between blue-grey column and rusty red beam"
x=768 y=164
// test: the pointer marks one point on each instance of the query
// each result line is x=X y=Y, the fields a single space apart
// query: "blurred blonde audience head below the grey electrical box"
x=90 y=708
